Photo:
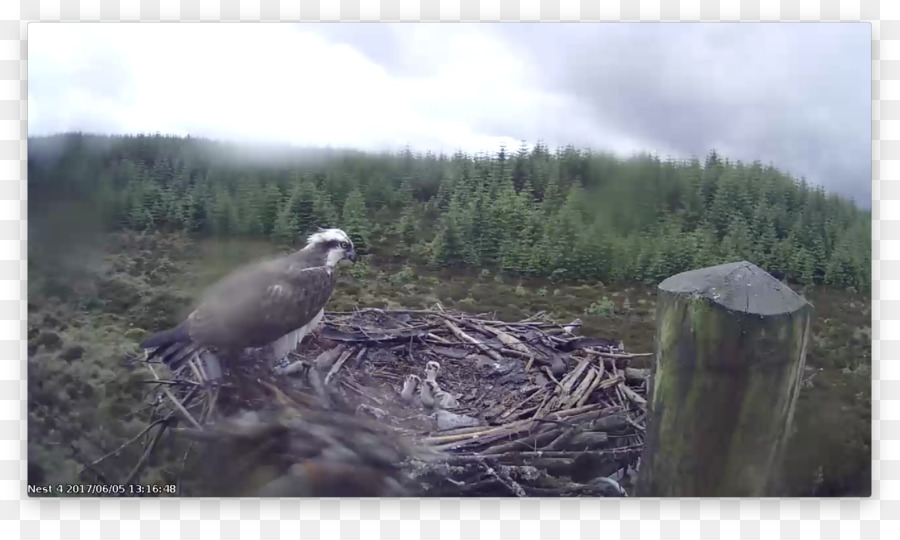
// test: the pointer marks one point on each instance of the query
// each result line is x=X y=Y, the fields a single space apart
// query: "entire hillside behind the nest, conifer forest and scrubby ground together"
x=125 y=231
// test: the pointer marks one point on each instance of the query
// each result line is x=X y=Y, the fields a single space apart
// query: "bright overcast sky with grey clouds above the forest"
x=794 y=94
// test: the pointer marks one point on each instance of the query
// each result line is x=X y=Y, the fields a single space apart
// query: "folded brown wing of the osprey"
x=258 y=305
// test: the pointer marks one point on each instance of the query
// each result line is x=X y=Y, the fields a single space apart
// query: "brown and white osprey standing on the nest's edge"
x=271 y=305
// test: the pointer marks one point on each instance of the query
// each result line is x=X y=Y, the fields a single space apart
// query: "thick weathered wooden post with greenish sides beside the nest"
x=730 y=349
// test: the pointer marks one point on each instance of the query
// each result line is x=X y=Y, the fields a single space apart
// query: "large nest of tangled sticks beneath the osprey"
x=539 y=411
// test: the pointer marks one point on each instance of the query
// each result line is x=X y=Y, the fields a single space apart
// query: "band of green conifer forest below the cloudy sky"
x=561 y=214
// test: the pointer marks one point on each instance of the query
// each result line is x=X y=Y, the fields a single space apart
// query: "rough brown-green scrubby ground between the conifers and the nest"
x=79 y=393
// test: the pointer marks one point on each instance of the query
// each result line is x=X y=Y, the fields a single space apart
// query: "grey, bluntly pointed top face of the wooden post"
x=740 y=286
